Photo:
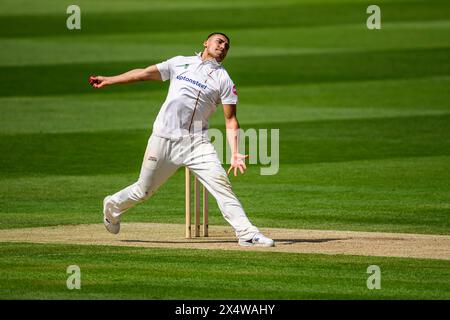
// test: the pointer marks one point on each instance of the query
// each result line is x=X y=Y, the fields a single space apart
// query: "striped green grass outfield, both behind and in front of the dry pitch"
x=364 y=120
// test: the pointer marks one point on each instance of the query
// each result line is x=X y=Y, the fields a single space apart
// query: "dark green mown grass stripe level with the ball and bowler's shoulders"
x=271 y=70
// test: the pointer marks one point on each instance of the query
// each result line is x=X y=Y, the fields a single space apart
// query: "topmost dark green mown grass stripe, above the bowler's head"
x=228 y=19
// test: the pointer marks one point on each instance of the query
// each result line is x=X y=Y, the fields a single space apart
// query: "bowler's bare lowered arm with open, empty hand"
x=237 y=160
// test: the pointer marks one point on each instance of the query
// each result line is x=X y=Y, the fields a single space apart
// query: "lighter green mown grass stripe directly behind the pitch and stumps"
x=395 y=195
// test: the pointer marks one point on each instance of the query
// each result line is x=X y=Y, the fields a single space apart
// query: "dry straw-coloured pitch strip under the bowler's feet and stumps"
x=222 y=237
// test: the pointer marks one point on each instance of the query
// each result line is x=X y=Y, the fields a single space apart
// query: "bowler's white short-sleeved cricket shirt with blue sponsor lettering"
x=196 y=88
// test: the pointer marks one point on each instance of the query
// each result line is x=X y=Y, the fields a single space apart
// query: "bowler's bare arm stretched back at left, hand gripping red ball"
x=149 y=73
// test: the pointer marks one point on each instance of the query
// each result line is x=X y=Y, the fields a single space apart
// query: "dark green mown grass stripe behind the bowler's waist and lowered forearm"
x=300 y=142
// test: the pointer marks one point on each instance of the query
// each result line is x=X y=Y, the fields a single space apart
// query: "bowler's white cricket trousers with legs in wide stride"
x=164 y=156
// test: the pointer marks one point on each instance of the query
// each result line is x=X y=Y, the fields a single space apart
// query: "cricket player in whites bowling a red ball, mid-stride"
x=198 y=84
